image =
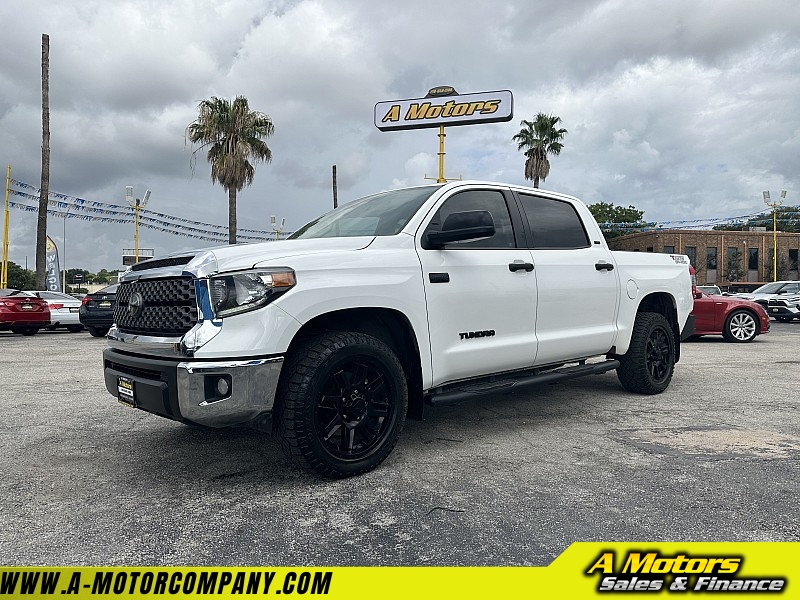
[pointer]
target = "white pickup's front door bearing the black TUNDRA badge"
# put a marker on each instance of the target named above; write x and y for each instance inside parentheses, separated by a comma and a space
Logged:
(480, 294)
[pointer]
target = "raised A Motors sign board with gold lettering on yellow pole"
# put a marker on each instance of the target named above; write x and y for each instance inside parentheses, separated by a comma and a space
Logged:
(434, 111)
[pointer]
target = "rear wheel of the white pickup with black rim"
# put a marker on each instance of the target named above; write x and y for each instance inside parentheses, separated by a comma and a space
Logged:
(647, 366)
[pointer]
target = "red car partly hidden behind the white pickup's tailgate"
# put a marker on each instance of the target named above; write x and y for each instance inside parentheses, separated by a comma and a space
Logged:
(736, 319)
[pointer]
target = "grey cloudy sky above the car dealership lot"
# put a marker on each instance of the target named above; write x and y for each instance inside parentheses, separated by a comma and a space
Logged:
(686, 109)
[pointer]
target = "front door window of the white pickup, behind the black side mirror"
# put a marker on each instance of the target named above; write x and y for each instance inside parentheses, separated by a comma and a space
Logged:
(490, 200)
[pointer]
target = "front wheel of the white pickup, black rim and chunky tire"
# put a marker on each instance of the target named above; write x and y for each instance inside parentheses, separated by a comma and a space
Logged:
(341, 404)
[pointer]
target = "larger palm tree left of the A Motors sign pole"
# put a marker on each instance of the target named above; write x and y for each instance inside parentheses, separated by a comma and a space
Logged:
(234, 135)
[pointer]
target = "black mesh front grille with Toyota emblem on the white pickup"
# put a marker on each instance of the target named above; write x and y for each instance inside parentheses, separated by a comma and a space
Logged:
(163, 307)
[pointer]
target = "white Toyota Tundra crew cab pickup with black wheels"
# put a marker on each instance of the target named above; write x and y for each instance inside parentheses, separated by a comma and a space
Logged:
(430, 294)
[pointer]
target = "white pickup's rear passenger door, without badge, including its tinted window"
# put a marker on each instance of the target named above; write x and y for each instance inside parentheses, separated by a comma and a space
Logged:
(576, 279)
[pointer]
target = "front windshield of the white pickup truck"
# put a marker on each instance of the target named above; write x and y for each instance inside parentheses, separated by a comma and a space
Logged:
(380, 214)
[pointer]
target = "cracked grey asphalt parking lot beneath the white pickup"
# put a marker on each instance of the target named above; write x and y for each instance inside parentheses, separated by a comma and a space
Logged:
(505, 480)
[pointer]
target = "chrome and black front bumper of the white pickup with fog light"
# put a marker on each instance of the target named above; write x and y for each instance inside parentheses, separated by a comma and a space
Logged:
(188, 391)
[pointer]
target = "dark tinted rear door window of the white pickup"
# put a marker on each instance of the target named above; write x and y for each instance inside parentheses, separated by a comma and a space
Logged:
(553, 223)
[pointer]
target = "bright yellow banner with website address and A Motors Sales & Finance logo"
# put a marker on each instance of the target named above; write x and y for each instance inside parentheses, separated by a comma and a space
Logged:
(584, 570)
